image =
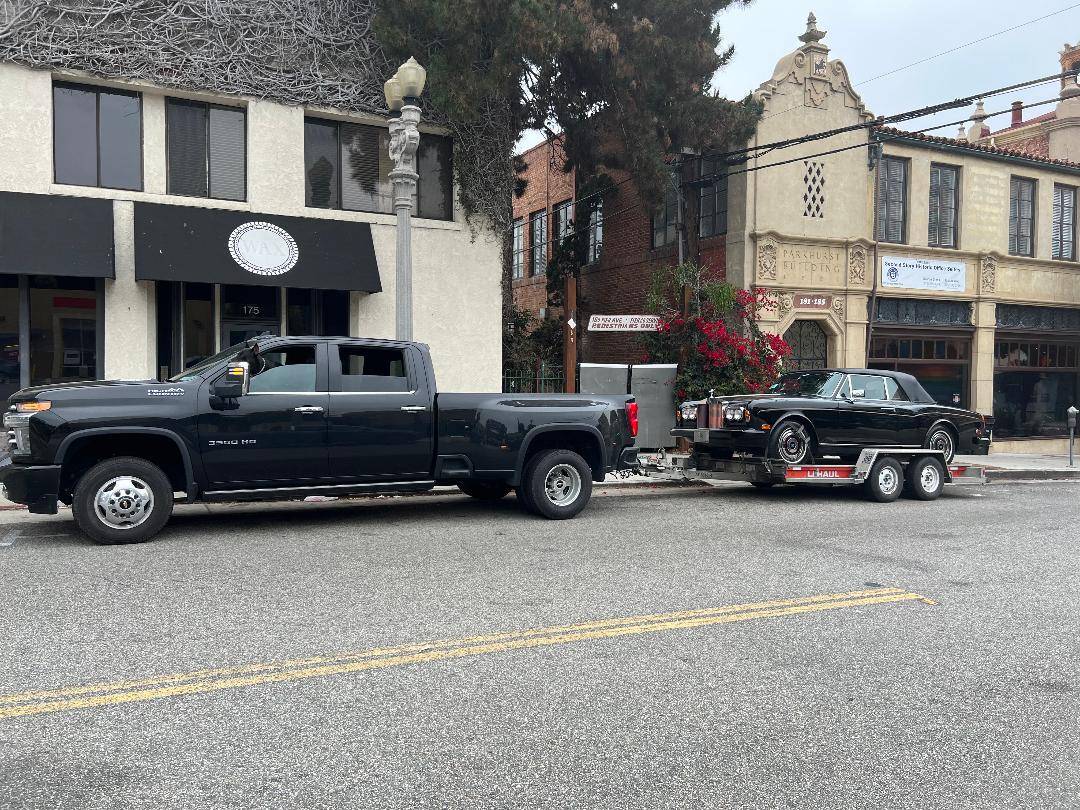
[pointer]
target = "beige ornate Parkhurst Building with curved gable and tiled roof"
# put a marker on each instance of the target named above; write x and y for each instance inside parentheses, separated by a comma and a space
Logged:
(965, 250)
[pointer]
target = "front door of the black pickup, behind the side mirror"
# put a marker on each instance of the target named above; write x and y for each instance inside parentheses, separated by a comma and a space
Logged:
(275, 436)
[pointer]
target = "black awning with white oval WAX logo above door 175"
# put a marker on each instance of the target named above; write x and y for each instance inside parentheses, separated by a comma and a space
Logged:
(185, 244)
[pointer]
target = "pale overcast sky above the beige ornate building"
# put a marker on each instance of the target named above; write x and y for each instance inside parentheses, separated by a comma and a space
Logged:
(873, 38)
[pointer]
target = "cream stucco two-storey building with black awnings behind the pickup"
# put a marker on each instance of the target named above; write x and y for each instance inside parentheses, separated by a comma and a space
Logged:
(143, 227)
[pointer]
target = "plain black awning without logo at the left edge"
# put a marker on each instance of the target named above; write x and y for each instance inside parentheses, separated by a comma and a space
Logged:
(50, 235)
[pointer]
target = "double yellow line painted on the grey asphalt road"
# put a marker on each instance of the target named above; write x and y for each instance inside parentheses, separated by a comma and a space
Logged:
(92, 696)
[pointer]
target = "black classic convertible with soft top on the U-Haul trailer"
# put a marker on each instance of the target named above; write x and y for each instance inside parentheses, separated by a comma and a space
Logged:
(831, 412)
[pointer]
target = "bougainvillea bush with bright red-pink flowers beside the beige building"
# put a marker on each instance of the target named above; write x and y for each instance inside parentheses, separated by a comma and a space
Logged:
(717, 343)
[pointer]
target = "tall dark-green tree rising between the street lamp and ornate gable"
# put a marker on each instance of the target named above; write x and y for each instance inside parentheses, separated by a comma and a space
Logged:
(627, 83)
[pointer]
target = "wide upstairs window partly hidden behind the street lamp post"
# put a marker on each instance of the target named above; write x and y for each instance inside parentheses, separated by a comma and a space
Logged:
(347, 167)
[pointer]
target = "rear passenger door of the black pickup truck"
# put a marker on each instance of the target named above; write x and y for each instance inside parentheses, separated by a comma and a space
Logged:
(382, 421)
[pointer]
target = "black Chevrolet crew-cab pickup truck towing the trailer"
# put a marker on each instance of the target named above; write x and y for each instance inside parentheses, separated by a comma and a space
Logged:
(294, 417)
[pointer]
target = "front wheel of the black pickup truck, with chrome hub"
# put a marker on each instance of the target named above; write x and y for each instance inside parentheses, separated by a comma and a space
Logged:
(123, 501)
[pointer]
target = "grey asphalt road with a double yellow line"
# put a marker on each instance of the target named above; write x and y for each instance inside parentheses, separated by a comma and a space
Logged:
(937, 664)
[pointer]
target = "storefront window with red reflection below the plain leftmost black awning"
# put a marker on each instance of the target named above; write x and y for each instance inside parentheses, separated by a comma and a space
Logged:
(64, 330)
